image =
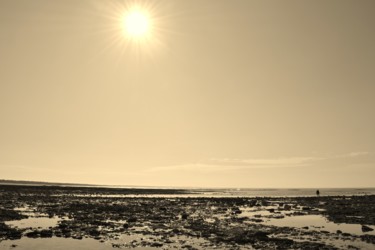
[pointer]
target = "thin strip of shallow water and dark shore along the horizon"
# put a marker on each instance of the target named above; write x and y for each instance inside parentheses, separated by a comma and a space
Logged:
(204, 192)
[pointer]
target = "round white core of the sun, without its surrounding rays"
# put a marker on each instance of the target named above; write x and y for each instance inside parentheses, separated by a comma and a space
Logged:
(136, 24)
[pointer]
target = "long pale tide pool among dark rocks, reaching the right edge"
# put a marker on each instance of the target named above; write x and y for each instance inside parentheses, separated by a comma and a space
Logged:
(316, 222)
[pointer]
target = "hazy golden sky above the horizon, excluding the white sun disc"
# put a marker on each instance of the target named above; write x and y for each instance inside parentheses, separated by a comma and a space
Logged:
(223, 93)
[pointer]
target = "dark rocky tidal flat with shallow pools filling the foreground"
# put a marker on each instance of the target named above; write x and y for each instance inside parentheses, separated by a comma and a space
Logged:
(58, 217)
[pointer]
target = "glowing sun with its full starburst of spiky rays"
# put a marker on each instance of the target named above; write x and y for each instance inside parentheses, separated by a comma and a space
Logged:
(134, 30)
